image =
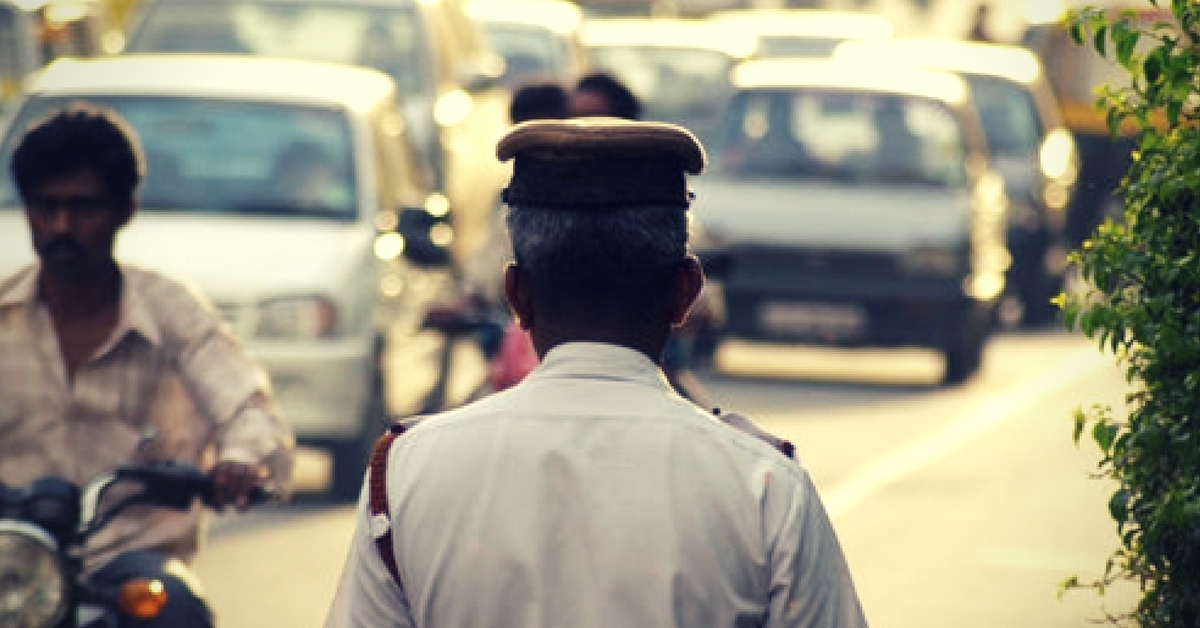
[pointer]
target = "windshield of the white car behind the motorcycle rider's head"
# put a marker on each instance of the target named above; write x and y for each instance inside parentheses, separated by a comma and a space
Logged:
(217, 157)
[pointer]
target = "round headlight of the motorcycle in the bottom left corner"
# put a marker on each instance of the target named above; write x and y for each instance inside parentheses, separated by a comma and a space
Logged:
(33, 581)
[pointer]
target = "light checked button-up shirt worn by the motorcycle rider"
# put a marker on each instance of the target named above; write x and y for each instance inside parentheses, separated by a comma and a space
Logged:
(171, 384)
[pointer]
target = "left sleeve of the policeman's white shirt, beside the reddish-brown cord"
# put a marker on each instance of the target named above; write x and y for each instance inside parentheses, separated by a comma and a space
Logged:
(368, 596)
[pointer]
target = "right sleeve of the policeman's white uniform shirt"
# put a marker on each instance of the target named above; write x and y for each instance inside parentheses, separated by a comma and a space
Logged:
(811, 582)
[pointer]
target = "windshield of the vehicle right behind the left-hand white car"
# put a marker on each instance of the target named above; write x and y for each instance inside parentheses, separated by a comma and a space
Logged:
(387, 38)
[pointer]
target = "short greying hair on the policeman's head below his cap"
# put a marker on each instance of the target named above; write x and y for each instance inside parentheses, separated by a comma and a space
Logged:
(603, 259)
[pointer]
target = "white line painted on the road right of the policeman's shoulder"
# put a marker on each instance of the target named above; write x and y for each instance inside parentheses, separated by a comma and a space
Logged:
(988, 415)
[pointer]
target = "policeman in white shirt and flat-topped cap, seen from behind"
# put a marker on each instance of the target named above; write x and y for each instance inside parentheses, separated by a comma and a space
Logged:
(592, 494)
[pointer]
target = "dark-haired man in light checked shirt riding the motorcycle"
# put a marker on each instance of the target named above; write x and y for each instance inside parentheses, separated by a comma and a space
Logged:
(105, 364)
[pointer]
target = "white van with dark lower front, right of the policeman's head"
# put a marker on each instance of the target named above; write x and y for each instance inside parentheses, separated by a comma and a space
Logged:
(856, 207)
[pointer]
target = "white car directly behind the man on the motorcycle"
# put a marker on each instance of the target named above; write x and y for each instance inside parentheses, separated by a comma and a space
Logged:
(273, 187)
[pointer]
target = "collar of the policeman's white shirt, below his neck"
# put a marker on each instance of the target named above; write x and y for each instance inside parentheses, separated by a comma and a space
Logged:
(599, 361)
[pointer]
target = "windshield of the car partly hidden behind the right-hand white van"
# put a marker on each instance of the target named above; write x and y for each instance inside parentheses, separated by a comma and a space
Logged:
(1009, 115)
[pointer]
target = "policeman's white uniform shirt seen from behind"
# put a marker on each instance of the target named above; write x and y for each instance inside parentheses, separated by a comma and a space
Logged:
(592, 495)
